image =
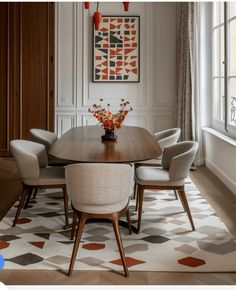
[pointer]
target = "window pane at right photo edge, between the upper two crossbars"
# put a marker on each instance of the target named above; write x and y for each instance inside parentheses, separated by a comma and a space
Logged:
(232, 47)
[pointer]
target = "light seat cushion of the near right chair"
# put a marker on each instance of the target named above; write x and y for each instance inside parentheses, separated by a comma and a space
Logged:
(155, 176)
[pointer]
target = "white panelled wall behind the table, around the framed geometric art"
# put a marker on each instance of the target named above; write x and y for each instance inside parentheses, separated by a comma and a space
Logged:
(153, 99)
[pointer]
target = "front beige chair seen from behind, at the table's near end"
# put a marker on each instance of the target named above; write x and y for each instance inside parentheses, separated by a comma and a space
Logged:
(99, 191)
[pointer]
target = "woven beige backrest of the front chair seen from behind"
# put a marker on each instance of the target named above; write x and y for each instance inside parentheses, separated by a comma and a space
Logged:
(99, 183)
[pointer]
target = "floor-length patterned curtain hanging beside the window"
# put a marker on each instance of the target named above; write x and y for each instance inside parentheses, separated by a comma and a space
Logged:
(188, 110)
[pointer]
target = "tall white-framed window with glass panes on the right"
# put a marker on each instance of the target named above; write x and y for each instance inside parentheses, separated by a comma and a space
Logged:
(224, 66)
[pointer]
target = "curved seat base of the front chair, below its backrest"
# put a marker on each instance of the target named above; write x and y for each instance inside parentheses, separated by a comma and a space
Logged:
(100, 209)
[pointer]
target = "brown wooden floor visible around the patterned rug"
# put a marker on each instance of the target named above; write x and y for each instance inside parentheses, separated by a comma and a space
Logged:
(220, 197)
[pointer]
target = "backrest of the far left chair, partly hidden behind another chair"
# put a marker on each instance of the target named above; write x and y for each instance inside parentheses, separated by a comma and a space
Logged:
(43, 137)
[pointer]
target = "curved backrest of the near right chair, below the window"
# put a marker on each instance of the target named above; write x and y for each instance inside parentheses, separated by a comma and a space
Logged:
(178, 159)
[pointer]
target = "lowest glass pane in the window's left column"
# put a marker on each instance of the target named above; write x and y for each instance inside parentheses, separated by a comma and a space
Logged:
(219, 101)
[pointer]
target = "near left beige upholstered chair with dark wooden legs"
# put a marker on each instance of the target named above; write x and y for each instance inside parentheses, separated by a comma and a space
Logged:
(31, 159)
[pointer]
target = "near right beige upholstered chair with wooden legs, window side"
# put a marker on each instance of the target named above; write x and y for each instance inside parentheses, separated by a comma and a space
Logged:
(176, 162)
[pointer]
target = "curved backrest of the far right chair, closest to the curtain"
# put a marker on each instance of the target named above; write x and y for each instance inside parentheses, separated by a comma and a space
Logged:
(167, 137)
